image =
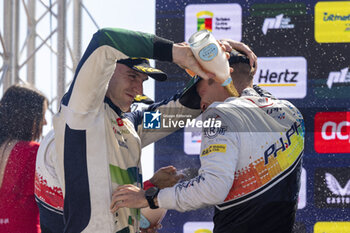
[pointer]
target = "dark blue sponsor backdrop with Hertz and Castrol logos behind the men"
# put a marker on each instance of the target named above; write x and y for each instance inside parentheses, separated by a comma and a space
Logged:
(304, 57)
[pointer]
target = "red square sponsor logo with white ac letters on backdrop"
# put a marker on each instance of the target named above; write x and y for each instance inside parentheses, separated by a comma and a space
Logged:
(332, 132)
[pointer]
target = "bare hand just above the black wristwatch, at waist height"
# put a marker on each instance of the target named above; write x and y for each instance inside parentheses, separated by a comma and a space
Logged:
(166, 177)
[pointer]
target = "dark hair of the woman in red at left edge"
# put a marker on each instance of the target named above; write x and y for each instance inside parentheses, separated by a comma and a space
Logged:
(21, 113)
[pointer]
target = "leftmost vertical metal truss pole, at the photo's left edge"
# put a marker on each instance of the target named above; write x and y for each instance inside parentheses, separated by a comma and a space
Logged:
(8, 12)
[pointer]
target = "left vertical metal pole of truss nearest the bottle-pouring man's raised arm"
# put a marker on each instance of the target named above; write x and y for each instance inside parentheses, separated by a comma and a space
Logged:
(61, 50)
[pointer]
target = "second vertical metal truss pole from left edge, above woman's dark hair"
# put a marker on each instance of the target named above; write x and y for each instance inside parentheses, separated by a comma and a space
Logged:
(15, 71)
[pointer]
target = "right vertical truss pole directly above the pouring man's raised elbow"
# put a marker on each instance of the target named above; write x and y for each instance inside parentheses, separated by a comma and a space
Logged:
(77, 33)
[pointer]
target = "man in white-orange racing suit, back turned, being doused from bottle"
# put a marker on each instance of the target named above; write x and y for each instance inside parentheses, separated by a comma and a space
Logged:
(250, 165)
